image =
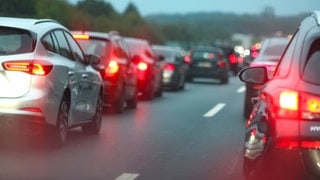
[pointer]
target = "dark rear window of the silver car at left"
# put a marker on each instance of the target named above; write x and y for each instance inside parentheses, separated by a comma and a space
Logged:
(15, 41)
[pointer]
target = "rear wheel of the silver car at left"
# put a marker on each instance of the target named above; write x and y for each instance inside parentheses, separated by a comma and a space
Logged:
(61, 129)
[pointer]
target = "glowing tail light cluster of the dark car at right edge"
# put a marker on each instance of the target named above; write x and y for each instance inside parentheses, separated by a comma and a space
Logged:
(298, 105)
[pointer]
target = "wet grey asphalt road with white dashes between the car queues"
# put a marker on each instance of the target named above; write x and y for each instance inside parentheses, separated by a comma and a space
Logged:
(192, 134)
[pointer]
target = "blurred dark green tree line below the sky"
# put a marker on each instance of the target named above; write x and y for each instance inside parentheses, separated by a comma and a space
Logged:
(99, 15)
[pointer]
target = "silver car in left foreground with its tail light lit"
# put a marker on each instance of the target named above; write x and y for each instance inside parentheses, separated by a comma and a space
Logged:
(48, 84)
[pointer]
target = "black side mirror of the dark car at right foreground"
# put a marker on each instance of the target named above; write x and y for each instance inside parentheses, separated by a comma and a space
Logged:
(254, 75)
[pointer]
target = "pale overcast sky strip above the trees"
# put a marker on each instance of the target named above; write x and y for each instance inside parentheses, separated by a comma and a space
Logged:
(281, 7)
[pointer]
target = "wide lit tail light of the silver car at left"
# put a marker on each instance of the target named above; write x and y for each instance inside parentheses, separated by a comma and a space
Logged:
(40, 68)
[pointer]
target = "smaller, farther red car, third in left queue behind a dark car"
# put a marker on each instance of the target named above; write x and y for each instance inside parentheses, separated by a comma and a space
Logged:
(149, 66)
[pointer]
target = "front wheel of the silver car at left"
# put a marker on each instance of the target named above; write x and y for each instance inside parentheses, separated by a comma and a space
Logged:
(95, 126)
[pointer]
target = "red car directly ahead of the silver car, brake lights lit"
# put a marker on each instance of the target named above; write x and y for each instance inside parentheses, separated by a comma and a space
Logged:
(117, 70)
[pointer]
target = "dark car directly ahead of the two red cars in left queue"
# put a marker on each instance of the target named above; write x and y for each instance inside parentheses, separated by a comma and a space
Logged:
(174, 68)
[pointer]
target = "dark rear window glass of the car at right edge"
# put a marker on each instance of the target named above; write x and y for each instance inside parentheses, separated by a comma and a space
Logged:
(311, 72)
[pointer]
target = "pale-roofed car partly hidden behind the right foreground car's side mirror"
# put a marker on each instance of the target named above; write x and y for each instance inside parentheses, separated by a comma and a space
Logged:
(269, 55)
